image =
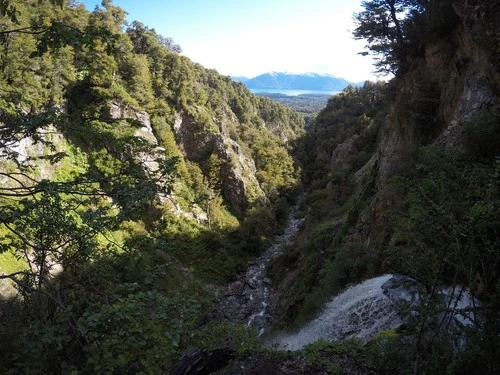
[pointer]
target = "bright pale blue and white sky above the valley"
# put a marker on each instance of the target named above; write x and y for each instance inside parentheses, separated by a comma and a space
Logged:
(252, 37)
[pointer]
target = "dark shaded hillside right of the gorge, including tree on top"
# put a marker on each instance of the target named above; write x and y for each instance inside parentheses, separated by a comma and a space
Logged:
(402, 177)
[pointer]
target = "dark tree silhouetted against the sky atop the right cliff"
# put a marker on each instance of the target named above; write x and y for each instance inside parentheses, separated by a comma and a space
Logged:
(382, 24)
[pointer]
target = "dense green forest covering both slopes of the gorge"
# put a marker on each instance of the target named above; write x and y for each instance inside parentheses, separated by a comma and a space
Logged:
(136, 183)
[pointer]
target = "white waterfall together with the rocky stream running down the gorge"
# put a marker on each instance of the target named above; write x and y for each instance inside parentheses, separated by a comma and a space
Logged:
(360, 311)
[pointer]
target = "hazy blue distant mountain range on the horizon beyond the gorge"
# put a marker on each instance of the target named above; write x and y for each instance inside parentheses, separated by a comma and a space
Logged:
(288, 81)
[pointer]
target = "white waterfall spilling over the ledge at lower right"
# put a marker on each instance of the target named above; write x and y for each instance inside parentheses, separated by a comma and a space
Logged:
(372, 306)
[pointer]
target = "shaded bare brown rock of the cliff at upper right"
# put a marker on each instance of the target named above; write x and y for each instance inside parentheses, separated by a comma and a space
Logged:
(462, 72)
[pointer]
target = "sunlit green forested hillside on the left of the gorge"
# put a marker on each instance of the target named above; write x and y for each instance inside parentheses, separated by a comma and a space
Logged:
(132, 181)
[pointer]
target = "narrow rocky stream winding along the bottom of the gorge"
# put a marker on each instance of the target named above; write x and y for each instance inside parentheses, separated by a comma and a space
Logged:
(247, 300)
